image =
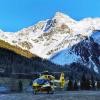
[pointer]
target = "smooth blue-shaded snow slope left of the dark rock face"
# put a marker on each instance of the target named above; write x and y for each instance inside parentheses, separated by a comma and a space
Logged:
(65, 57)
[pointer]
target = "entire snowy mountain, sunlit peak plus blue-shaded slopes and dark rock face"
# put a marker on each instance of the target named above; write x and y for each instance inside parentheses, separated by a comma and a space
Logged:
(61, 35)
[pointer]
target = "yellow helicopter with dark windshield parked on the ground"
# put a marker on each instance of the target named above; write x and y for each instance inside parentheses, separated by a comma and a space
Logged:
(47, 83)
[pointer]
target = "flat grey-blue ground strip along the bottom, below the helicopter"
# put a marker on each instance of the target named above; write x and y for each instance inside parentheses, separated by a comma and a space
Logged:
(68, 95)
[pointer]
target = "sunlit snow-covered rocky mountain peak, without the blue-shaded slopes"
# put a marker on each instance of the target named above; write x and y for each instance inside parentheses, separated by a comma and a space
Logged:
(52, 35)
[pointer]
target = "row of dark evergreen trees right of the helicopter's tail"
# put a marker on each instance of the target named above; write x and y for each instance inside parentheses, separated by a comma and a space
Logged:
(83, 84)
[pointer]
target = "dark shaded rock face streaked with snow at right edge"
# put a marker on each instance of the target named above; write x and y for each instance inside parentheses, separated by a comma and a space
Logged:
(89, 52)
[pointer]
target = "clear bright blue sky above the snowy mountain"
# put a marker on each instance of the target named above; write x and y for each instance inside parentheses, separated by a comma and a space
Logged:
(17, 14)
